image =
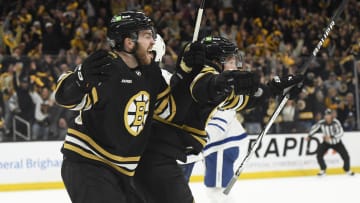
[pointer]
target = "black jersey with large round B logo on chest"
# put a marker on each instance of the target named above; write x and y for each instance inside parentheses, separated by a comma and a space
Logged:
(114, 120)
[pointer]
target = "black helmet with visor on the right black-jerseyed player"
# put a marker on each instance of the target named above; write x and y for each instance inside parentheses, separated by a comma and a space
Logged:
(219, 48)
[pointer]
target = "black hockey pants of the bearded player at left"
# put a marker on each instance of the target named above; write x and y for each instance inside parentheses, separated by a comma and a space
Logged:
(88, 182)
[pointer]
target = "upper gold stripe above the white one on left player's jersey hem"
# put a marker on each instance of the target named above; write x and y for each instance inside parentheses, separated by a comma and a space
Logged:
(100, 149)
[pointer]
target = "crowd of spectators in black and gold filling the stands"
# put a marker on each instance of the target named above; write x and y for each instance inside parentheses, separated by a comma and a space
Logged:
(40, 40)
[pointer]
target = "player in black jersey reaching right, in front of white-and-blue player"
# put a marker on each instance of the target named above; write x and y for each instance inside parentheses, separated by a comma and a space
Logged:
(175, 136)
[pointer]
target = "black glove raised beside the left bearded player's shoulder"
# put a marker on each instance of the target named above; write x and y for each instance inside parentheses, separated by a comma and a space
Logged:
(94, 70)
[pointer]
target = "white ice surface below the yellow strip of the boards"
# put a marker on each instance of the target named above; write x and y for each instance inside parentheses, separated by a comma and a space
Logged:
(329, 189)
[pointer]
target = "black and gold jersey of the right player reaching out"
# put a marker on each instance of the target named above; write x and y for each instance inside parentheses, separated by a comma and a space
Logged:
(184, 131)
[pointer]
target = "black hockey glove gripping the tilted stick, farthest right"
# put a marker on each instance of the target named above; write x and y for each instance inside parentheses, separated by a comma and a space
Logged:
(292, 84)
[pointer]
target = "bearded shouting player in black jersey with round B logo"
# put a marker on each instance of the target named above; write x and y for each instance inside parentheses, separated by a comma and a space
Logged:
(116, 94)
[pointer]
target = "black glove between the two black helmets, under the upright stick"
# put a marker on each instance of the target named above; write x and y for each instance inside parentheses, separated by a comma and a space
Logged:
(193, 58)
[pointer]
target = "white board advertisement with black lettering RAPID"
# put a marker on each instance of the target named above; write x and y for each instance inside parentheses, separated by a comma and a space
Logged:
(292, 152)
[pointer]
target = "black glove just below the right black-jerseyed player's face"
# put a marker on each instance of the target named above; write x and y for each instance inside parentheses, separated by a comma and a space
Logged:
(246, 83)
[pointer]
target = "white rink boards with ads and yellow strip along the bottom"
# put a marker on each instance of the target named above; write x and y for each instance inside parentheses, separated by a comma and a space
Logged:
(36, 165)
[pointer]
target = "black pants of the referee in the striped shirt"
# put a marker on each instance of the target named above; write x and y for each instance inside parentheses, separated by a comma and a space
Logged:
(339, 147)
